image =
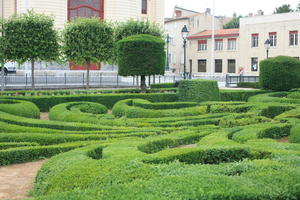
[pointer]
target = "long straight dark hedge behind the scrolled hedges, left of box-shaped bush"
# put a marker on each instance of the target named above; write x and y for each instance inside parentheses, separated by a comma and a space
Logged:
(46, 102)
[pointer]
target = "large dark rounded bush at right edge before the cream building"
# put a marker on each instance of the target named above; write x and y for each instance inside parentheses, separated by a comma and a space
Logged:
(281, 73)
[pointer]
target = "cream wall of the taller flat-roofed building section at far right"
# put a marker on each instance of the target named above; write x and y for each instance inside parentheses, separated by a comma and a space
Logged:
(282, 24)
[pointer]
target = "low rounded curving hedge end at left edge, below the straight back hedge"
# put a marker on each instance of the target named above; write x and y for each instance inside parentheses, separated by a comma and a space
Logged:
(20, 108)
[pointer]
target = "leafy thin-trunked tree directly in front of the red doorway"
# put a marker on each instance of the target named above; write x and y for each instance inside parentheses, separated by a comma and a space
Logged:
(87, 41)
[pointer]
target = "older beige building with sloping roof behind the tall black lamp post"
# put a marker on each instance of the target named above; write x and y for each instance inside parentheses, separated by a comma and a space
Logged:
(195, 23)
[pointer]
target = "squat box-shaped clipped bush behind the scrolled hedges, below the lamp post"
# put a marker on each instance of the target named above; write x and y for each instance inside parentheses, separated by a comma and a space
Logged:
(198, 90)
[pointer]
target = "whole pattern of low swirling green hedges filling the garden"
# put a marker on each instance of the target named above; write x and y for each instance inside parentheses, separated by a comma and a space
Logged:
(155, 146)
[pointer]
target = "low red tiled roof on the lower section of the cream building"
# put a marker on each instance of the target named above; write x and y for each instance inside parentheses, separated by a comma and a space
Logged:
(218, 33)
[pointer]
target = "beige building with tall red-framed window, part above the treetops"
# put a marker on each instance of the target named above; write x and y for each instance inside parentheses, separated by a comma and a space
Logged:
(113, 10)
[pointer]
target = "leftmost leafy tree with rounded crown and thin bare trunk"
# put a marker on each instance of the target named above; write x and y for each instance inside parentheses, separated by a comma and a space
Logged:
(31, 37)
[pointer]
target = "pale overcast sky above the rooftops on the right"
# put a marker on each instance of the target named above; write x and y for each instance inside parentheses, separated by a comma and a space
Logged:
(228, 7)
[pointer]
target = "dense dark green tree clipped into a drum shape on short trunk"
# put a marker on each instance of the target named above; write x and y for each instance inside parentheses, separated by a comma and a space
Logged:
(141, 55)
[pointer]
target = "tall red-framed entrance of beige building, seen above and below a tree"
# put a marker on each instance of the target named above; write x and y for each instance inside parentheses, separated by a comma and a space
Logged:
(85, 8)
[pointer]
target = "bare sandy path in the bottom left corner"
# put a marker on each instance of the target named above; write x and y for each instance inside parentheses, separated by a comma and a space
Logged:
(17, 180)
